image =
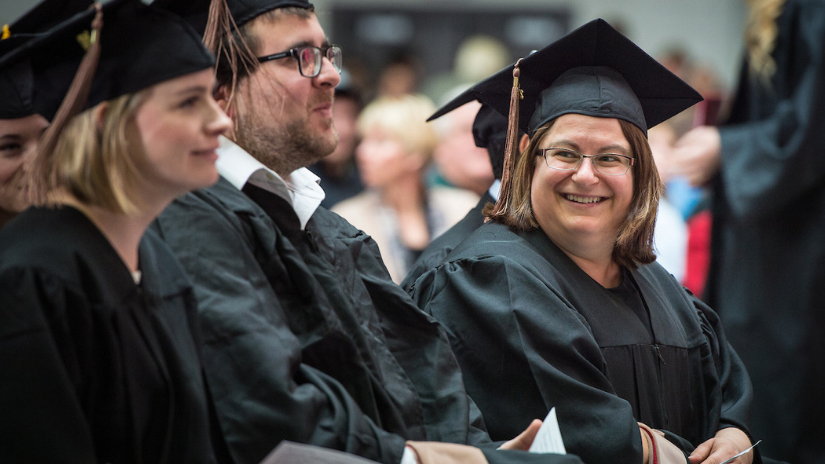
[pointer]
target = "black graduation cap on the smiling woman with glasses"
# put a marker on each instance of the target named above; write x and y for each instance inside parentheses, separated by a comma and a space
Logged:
(594, 71)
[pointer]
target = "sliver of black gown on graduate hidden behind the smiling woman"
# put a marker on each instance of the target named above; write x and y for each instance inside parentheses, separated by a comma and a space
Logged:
(442, 245)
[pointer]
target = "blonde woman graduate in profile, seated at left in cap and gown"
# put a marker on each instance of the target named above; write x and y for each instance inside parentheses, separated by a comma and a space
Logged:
(98, 328)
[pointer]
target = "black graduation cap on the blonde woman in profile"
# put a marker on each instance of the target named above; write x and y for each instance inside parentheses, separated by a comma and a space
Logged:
(140, 46)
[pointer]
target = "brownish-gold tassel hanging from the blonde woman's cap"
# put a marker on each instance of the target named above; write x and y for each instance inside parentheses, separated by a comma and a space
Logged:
(42, 178)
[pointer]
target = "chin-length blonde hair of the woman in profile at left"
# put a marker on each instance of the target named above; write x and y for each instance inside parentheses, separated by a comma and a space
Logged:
(94, 161)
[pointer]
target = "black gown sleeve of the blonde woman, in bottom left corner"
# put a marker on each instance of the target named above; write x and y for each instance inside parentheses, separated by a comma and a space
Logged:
(41, 415)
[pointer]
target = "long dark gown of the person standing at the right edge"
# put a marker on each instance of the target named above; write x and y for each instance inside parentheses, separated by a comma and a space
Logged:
(767, 274)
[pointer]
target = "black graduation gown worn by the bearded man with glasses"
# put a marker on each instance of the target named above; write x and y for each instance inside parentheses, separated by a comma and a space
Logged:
(308, 339)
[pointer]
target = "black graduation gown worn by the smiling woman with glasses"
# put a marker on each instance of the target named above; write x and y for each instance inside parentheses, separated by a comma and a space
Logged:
(532, 331)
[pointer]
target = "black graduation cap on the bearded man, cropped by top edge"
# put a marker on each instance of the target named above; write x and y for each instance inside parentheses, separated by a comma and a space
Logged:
(196, 12)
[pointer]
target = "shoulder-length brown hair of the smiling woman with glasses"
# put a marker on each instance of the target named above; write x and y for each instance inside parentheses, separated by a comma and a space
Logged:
(634, 244)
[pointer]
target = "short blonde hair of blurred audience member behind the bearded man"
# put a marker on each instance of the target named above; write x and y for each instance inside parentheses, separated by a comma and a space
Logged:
(404, 118)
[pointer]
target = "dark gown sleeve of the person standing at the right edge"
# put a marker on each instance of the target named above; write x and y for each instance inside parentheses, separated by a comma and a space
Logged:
(775, 158)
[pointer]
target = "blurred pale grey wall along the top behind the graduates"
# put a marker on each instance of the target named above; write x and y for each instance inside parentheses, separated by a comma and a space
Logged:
(709, 30)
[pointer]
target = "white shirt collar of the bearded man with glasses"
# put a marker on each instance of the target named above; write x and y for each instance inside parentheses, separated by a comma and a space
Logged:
(301, 188)
